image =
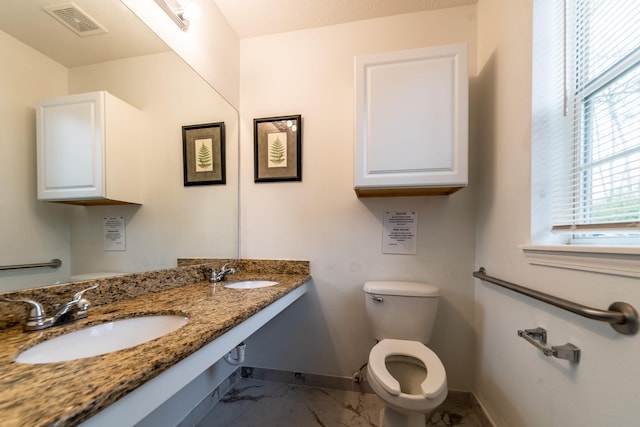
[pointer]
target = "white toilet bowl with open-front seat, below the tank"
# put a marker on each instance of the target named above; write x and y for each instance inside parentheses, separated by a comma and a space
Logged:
(410, 379)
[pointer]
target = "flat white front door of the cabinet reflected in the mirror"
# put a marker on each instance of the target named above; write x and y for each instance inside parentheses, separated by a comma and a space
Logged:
(70, 147)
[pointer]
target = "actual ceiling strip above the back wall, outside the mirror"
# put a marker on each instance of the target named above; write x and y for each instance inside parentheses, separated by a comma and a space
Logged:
(250, 18)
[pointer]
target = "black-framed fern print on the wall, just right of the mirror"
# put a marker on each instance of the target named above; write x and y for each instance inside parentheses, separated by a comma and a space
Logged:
(277, 148)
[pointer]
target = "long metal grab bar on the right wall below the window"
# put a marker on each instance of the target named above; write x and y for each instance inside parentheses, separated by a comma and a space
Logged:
(622, 316)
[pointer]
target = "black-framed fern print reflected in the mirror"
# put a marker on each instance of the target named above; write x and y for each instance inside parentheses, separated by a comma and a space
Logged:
(203, 154)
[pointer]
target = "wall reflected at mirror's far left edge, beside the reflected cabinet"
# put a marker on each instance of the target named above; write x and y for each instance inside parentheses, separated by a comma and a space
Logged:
(32, 231)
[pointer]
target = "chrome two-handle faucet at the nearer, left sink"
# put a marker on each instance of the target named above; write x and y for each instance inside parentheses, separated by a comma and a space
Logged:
(77, 308)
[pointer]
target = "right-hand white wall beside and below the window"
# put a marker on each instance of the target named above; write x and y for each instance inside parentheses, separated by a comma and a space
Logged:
(518, 385)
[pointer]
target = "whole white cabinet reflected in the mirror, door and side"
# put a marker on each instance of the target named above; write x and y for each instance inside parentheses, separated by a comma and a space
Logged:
(88, 150)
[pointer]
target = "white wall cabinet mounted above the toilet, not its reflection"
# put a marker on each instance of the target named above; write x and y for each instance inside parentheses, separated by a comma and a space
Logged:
(411, 122)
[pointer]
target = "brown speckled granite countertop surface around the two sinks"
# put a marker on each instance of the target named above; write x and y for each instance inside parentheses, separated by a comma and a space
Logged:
(67, 393)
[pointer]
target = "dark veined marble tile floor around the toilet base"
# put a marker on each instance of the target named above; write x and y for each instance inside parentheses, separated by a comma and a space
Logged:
(252, 403)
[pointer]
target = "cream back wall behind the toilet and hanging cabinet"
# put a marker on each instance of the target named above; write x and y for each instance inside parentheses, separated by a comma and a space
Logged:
(320, 219)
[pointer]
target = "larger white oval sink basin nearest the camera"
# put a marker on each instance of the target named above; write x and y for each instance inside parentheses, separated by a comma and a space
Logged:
(101, 339)
